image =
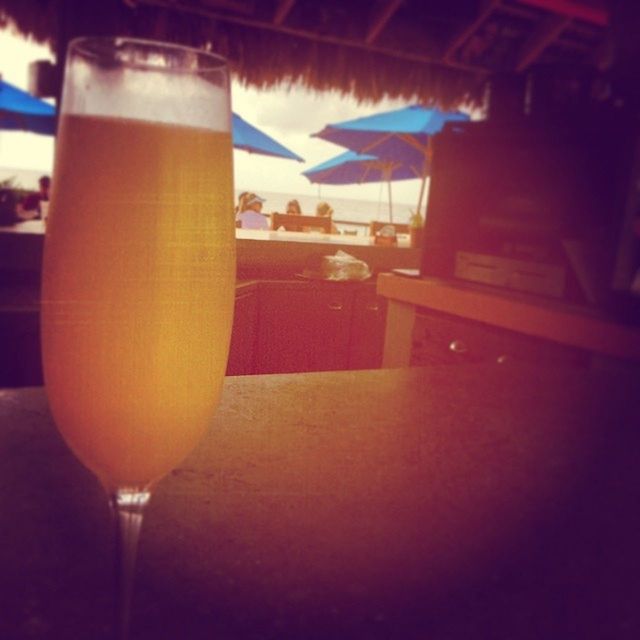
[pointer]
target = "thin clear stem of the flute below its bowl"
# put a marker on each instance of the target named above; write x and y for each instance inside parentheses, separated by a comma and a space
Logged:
(128, 508)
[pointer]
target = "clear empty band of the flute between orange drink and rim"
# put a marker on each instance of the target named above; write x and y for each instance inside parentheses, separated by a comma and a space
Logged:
(149, 95)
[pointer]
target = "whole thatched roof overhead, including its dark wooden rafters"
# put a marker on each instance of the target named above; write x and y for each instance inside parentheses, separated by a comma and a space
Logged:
(440, 52)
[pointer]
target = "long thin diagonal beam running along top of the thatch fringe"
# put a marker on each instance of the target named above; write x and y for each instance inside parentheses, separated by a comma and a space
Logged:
(398, 54)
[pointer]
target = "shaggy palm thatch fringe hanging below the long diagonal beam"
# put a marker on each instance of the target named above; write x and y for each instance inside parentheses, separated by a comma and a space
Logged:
(259, 58)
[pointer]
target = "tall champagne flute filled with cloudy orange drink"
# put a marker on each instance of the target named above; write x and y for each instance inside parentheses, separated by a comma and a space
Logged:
(139, 266)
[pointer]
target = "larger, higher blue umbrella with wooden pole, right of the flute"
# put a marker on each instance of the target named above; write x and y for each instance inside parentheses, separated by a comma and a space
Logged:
(403, 135)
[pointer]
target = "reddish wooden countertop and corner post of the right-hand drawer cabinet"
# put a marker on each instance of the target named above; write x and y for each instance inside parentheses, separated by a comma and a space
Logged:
(548, 320)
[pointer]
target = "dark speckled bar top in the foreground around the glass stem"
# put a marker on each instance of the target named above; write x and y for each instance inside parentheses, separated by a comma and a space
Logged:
(441, 503)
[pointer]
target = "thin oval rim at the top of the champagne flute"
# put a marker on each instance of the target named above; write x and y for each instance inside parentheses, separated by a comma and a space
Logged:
(105, 47)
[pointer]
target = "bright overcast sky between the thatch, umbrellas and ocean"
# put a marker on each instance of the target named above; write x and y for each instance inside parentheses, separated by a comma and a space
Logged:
(288, 115)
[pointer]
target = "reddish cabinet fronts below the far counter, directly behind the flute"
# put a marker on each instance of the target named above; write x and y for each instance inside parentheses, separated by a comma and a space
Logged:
(278, 327)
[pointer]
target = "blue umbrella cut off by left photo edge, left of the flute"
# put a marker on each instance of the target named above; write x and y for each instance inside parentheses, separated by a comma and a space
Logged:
(21, 111)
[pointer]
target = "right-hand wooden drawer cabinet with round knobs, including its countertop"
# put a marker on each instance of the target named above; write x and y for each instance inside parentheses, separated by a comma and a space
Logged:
(434, 321)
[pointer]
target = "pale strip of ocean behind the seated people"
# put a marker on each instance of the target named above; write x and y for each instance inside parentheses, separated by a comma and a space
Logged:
(348, 213)
